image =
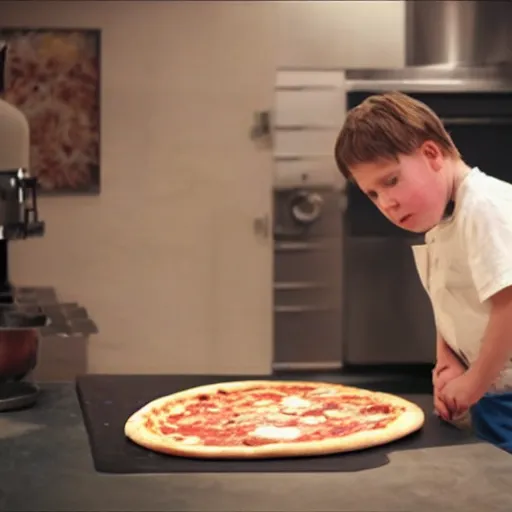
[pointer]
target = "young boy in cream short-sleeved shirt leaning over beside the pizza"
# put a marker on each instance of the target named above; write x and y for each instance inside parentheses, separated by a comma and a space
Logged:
(397, 151)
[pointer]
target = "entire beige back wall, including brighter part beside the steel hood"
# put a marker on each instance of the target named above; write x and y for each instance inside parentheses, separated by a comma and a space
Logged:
(180, 82)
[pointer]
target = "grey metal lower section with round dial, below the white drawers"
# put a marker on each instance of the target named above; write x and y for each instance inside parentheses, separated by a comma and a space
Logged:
(307, 282)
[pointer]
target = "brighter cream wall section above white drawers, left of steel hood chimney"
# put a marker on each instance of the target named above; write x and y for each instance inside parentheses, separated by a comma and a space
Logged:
(359, 33)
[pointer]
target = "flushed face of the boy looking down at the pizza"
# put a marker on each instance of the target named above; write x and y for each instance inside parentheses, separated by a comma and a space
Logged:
(411, 192)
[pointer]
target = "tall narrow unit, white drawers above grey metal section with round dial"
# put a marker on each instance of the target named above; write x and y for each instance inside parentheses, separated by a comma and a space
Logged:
(307, 220)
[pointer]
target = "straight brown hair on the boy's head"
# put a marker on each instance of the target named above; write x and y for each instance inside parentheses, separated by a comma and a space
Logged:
(386, 125)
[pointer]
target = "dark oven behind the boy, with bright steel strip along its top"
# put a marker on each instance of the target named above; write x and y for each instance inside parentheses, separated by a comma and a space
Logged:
(387, 318)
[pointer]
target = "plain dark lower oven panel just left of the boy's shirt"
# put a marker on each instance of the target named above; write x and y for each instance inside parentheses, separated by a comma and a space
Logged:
(388, 318)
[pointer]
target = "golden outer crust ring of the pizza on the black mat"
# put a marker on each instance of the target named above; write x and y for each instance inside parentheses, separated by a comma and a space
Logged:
(407, 422)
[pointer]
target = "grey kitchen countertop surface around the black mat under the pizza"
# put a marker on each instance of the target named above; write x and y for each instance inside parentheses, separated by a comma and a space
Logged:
(46, 465)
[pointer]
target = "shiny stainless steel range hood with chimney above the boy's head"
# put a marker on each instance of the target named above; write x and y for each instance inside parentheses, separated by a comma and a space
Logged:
(458, 45)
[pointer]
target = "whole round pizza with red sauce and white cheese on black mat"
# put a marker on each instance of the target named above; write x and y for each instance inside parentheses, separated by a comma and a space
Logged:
(268, 419)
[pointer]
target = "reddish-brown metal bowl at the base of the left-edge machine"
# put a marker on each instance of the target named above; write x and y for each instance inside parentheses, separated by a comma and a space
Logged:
(19, 342)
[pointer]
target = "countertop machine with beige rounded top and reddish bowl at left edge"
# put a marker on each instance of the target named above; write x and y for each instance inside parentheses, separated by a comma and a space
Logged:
(19, 220)
